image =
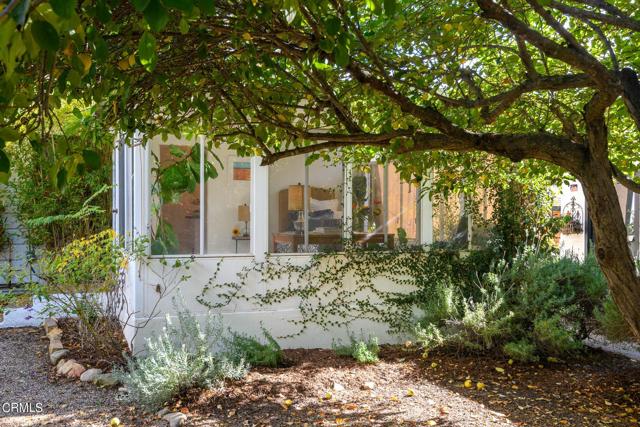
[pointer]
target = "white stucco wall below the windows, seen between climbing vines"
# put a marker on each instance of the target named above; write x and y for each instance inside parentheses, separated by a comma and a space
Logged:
(243, 316)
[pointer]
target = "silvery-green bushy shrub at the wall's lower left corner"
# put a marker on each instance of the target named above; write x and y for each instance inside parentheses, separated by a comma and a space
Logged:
(185, 355)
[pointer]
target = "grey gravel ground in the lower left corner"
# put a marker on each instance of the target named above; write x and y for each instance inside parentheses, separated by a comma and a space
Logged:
(26, 377)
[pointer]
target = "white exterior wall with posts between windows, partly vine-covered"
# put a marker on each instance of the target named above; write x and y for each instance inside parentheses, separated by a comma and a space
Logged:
(143, 277)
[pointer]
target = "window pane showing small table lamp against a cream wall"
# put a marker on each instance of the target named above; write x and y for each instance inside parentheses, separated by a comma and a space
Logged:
(227, 195)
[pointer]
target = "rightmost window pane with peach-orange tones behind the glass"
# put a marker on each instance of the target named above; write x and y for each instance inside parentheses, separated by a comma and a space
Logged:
(402, 209)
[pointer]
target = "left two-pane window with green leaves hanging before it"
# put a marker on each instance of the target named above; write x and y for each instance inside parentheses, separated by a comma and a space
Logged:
(190, 219)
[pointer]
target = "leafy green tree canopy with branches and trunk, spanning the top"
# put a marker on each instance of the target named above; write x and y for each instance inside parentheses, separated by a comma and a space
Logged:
(467, 85)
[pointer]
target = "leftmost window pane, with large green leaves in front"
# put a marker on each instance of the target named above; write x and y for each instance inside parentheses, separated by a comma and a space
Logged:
(175, 197)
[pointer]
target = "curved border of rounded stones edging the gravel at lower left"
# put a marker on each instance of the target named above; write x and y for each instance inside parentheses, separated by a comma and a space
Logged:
(70, 368)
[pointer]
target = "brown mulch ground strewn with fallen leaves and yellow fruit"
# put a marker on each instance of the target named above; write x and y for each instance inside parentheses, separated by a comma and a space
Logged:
(599, 389)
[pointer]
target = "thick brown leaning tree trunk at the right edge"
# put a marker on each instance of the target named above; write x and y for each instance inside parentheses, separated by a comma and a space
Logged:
(611, 247)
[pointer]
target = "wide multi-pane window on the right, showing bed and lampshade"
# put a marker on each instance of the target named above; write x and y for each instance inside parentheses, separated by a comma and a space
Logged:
(307, 212)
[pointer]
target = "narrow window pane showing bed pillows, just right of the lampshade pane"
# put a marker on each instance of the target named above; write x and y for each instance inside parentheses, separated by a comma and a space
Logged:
(325, 206)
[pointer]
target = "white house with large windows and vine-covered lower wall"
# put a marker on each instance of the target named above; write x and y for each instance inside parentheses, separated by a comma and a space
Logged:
(287, 210)
